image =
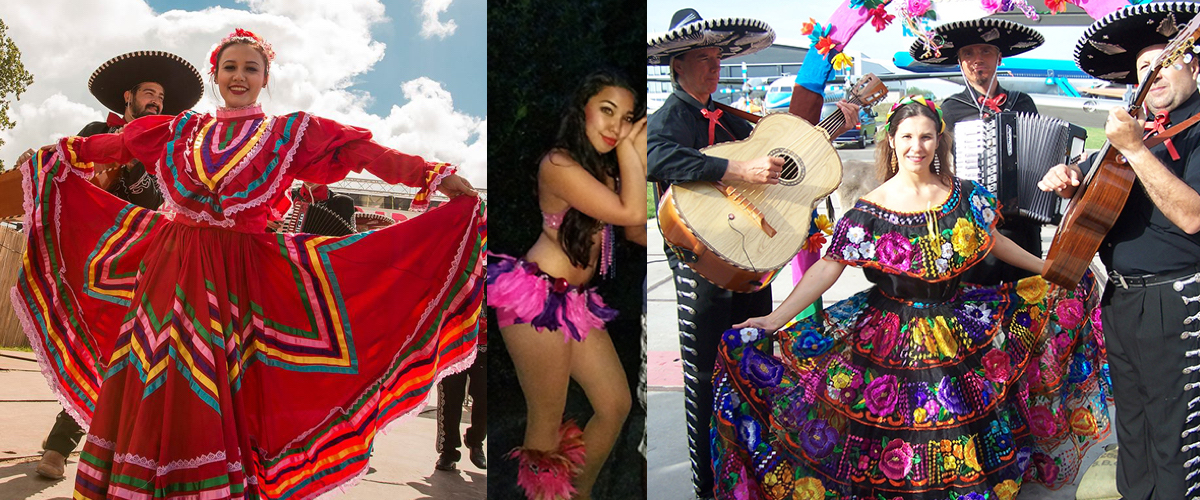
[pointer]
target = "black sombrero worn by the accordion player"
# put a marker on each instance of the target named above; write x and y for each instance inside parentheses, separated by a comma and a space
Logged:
(1012, 39)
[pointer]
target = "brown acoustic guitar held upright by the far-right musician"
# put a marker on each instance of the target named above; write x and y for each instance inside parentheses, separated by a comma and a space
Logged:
(1103, 194)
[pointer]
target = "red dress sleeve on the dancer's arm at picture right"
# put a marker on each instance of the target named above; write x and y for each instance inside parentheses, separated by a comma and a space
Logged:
(331, 150)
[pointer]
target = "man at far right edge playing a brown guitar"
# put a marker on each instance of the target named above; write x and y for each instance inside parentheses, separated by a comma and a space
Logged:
(1151, 305)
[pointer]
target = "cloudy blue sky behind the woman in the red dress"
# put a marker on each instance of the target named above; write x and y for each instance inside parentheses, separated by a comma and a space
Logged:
(362, 63)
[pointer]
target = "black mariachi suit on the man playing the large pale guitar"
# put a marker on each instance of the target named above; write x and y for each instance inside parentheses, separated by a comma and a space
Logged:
(676, 135)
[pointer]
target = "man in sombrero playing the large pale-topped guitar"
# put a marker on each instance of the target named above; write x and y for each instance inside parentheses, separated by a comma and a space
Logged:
(687, 123)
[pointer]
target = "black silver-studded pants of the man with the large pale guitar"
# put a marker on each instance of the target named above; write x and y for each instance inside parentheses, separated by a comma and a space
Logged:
(706, 311)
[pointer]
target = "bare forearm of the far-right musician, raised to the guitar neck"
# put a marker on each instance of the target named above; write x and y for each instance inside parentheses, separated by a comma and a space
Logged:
(1175, 198)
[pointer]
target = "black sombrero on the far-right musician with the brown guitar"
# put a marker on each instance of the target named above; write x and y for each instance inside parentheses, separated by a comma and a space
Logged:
(1109, 49)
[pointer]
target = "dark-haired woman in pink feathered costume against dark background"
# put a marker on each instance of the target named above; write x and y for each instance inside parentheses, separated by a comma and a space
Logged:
(554, 324)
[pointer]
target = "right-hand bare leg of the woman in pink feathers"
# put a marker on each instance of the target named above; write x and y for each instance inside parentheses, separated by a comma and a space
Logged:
(596, 366)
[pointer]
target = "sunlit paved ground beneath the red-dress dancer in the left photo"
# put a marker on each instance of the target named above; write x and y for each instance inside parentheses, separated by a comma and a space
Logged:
(401, 469)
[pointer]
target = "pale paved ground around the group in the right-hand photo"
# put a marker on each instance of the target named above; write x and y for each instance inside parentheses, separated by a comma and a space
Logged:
(670, 471)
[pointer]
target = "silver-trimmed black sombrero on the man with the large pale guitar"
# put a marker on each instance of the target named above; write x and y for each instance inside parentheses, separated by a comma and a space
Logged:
(734, 37)
